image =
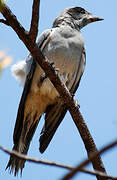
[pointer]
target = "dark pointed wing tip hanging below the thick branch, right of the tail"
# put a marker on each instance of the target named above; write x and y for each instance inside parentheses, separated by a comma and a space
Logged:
(54, 116)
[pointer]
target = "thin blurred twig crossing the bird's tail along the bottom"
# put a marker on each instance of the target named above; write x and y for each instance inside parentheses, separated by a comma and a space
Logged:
(55, 164)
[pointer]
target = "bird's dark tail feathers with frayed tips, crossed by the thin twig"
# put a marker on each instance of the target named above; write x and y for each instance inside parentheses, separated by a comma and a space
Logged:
(15, 164)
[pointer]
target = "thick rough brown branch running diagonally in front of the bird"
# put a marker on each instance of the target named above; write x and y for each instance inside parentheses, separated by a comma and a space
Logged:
(61, 88)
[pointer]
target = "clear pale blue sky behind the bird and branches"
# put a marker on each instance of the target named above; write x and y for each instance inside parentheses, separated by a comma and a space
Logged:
(97, 93)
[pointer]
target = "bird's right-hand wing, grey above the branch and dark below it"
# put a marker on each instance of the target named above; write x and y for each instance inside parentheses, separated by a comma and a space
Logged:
(56, 112)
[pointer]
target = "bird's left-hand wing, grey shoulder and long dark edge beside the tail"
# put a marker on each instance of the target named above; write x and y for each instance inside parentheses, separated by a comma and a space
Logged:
(31, 69)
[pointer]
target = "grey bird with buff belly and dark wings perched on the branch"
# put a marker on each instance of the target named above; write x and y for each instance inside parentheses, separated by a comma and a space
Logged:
(63, 45)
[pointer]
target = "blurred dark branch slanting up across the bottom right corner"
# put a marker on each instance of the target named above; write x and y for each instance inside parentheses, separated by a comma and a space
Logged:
(87, 161)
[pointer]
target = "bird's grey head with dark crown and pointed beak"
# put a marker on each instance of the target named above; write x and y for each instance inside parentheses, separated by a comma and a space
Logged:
(77, 15)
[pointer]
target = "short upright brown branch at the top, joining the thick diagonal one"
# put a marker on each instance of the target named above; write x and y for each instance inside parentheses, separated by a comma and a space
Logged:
(35, 20)
